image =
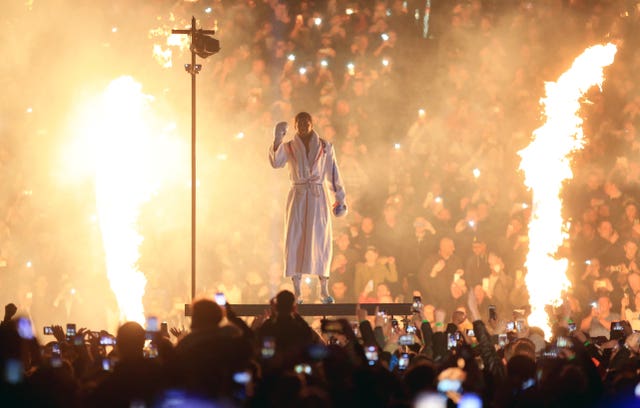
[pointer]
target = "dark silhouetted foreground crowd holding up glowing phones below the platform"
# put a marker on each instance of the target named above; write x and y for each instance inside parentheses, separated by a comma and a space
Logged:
(423, 358)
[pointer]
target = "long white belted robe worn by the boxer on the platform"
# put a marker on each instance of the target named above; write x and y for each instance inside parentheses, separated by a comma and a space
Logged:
(307, 224)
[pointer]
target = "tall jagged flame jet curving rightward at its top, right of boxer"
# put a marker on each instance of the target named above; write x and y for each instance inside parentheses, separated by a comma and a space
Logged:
(546, 164)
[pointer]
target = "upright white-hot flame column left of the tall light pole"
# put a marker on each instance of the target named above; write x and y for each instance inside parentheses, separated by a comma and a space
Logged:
(123, 183)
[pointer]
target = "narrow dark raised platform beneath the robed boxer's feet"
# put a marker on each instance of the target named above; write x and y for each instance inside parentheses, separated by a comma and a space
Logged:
(334, 309)
